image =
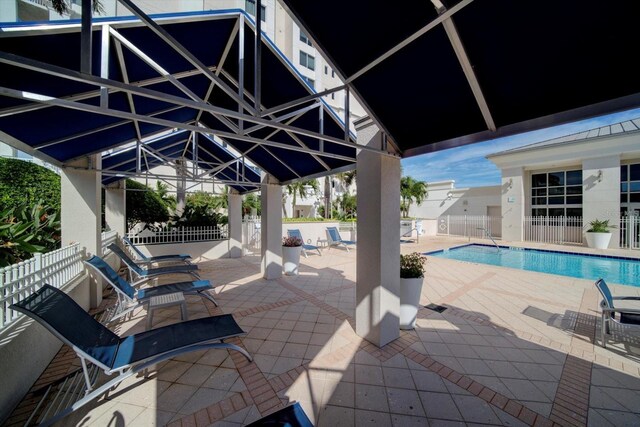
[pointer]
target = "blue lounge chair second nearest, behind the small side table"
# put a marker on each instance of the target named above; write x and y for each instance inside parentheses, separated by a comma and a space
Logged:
(129, 298)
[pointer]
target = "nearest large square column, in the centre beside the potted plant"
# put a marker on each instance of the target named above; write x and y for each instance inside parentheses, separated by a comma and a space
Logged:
(378, 253)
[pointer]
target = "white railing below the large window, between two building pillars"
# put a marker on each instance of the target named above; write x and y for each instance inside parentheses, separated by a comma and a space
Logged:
(552, 229)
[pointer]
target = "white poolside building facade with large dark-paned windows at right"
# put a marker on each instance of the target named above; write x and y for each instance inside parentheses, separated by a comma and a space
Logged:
(593, 175)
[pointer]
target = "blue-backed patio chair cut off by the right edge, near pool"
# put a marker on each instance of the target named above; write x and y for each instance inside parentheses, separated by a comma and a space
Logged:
(627, 307)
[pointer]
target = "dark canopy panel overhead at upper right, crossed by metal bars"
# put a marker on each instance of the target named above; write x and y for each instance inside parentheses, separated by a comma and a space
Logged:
(442, 73)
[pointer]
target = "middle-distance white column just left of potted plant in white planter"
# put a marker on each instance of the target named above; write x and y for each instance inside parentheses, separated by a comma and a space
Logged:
(271, 228)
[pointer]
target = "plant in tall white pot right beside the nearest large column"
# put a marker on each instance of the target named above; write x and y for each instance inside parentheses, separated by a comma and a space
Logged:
(411, 277)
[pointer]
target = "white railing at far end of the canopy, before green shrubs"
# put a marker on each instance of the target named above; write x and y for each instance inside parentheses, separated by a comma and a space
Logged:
(180, 235)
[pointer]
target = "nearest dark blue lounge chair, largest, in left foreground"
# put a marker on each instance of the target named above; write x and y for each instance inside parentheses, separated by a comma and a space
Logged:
(100, 349)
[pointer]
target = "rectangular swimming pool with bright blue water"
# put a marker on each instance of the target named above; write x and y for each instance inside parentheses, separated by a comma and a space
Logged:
(613, 269)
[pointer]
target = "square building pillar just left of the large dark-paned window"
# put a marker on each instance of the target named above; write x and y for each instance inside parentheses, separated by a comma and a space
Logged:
(513, 203)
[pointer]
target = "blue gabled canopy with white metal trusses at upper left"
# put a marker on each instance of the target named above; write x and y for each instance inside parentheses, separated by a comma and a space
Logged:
(173, 72)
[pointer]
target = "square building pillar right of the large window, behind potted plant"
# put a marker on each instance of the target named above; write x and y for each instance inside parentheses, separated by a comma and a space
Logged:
(601, 193)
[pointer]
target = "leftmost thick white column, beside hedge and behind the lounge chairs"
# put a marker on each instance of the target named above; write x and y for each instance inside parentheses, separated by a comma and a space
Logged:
(81, 217)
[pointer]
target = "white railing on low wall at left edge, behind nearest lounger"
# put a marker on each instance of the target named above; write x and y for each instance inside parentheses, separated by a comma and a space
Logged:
(18, 281)
